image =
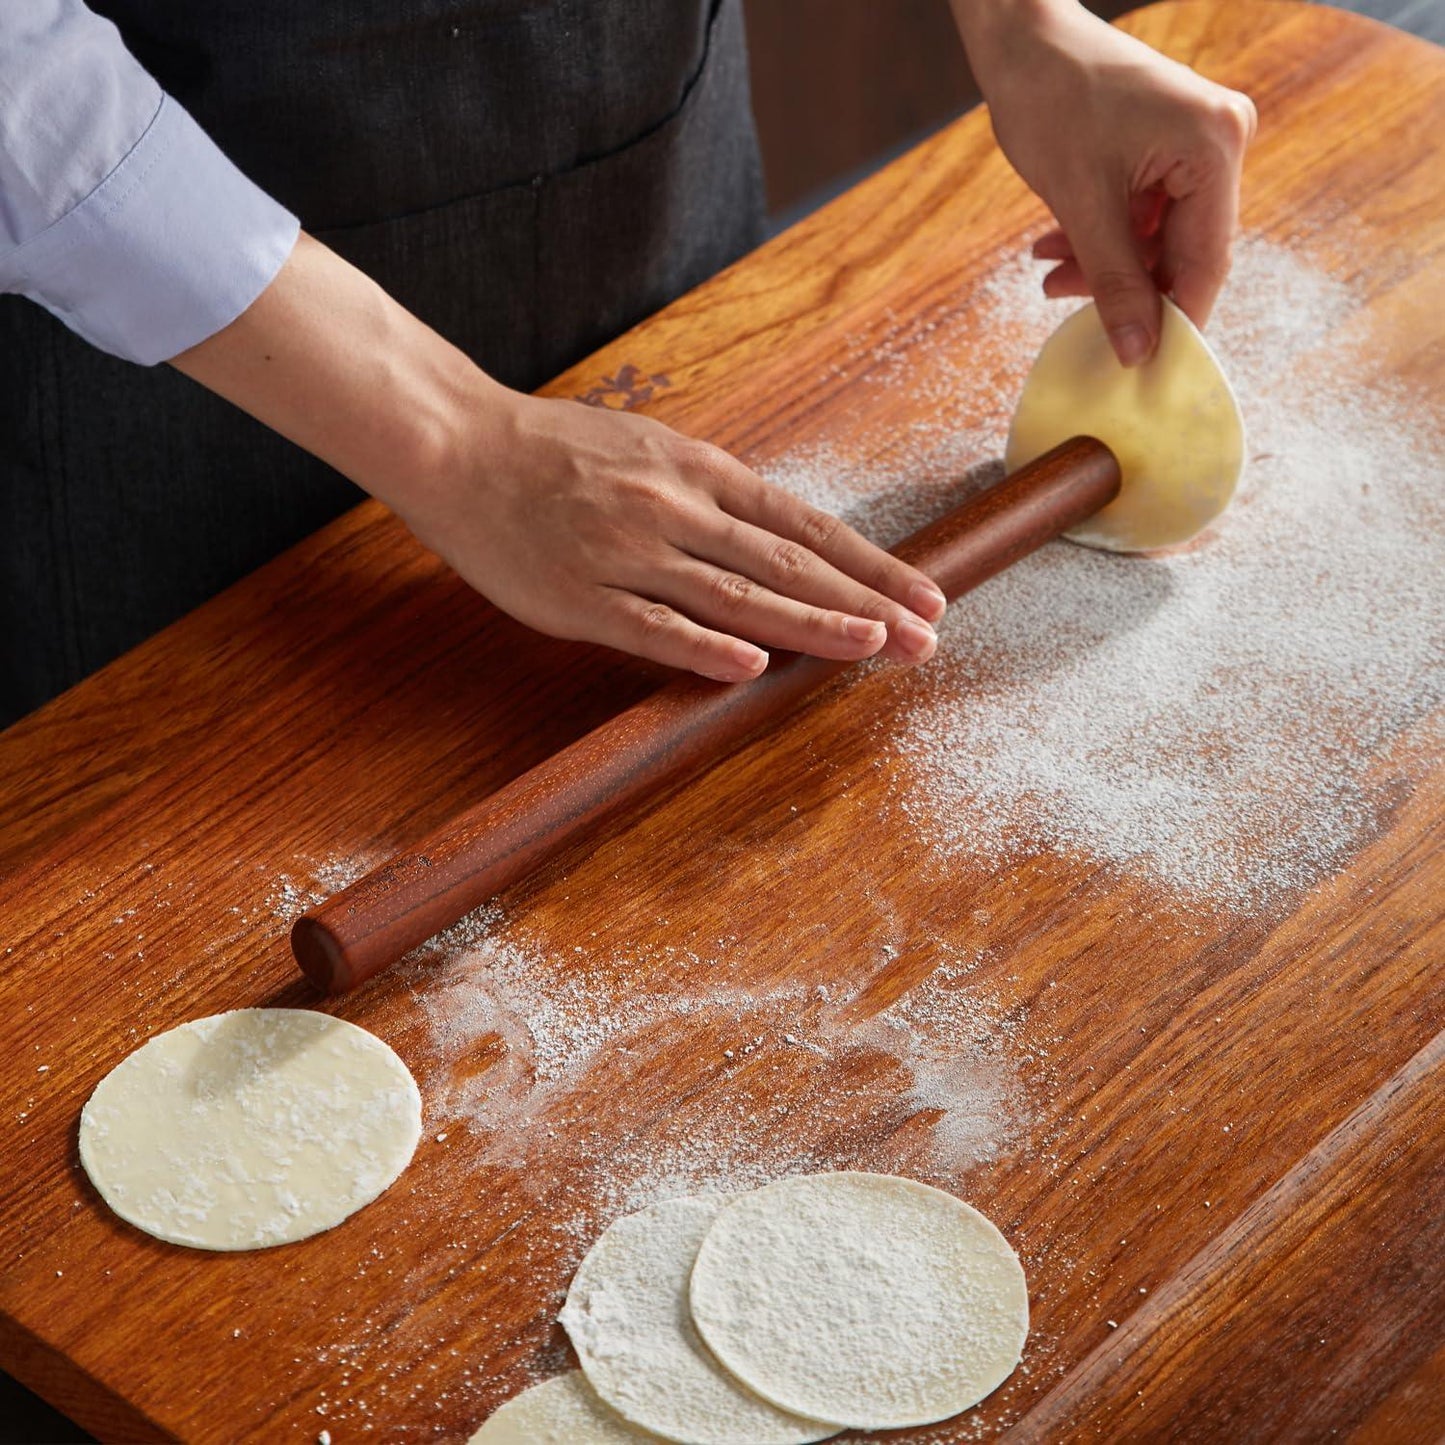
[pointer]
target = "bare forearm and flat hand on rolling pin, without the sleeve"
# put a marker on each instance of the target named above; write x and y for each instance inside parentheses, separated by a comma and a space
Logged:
(579, 521)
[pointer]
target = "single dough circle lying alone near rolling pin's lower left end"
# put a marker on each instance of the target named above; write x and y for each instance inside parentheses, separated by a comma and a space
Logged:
(251, 1129)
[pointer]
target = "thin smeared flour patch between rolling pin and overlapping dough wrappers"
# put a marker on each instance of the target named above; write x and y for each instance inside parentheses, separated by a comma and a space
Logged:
(518, 1028)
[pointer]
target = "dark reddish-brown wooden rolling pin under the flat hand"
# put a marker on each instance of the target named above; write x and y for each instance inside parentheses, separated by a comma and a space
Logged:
(664, 741)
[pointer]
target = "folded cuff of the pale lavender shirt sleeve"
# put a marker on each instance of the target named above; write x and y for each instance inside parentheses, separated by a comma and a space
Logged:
(173, 246)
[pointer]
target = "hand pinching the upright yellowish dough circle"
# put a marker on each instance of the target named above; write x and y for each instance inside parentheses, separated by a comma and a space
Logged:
(1138, 157)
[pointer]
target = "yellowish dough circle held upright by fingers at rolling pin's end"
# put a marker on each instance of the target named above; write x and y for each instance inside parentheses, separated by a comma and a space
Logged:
(1174, 426)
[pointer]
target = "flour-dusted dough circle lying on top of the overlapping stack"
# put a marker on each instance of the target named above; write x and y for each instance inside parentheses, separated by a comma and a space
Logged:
(860, 1298)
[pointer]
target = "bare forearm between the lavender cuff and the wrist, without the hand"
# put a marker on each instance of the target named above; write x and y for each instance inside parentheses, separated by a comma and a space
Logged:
(332, 362)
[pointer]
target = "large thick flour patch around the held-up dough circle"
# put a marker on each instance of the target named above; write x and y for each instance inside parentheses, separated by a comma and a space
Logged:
(1229, 720)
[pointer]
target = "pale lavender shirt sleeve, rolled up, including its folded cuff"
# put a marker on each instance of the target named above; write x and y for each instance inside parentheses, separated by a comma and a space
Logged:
(118, 213)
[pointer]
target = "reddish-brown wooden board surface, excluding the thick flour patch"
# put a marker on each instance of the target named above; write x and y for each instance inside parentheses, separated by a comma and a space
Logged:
(1284, 1063)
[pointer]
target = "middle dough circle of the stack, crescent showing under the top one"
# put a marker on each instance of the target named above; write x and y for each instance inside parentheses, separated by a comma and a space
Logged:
(628, 1317)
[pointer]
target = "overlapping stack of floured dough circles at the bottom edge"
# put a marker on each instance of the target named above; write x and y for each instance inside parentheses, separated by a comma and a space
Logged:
(778, 1317)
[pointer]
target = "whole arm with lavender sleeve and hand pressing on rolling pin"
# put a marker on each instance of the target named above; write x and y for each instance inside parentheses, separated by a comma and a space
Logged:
(122, 217)
